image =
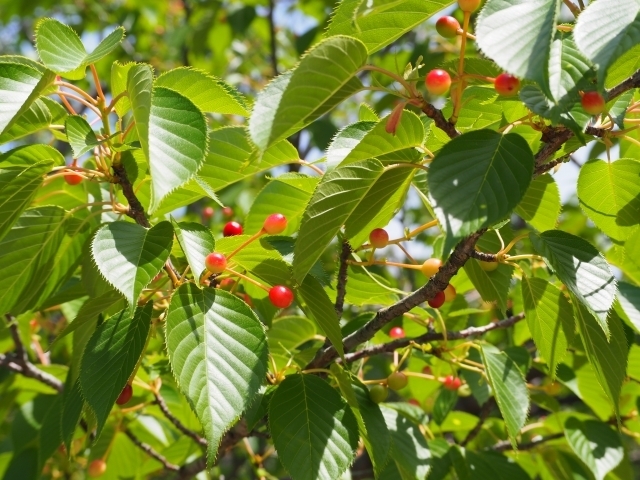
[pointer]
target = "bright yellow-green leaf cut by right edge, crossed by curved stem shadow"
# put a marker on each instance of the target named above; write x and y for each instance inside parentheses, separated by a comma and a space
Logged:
(609, 195)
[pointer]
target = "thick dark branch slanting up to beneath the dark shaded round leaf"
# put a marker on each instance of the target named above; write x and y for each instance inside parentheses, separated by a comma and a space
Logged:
(437, 283)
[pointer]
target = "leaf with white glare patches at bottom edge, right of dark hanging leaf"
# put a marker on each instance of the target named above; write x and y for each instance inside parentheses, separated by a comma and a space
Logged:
(409, 449)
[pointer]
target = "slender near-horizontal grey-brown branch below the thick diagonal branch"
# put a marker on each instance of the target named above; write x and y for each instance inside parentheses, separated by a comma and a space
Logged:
(432, 337)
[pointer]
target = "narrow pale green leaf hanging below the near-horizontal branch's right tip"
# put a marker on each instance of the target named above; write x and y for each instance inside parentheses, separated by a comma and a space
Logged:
(509, 388)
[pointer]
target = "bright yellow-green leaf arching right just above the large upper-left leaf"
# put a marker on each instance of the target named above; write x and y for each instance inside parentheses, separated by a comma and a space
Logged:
(208, 93)
